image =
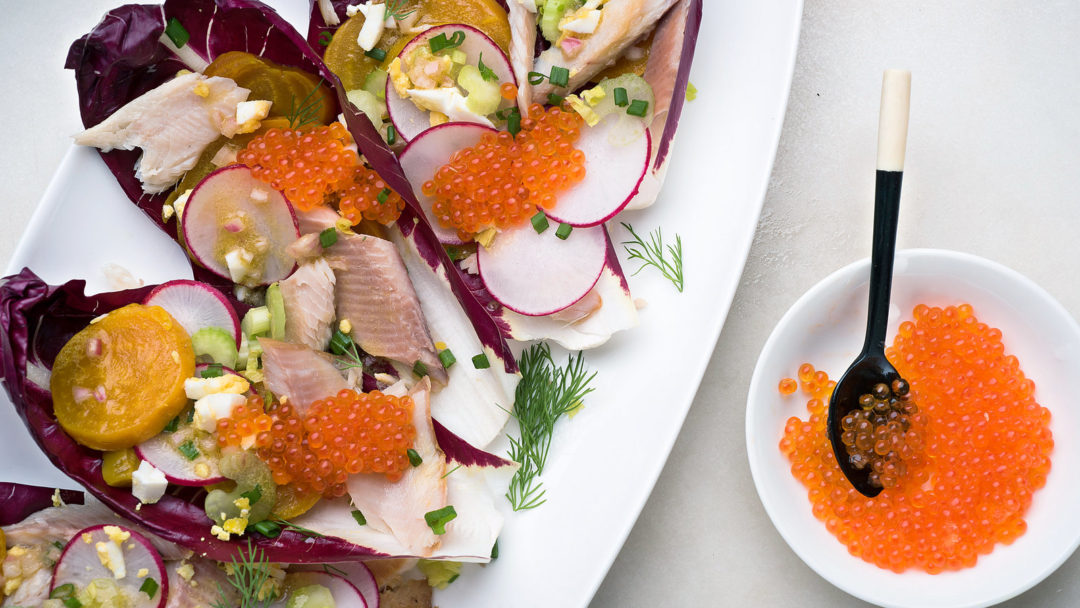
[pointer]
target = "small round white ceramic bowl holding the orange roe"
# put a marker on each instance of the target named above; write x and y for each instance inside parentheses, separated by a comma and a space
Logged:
(826, 328)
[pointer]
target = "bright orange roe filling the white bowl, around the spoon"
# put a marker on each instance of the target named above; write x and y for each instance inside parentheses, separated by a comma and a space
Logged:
(987, 451)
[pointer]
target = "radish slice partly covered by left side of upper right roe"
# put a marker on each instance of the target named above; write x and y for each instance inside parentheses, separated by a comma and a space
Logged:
(428, 154)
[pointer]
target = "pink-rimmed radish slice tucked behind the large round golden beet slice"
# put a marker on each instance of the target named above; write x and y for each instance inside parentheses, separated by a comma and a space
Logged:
(195, 306)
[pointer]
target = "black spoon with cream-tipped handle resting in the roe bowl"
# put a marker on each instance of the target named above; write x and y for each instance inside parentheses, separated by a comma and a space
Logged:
(872, 368)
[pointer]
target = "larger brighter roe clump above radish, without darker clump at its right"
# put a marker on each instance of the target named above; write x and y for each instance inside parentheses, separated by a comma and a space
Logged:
(304, 165)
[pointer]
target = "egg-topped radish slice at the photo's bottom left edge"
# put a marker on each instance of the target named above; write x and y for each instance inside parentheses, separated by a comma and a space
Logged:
(130, 555)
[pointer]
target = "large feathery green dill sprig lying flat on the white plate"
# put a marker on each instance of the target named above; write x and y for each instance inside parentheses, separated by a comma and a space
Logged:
(546, 394)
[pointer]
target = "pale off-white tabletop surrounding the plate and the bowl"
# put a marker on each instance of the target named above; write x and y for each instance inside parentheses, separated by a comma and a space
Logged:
(992, 170)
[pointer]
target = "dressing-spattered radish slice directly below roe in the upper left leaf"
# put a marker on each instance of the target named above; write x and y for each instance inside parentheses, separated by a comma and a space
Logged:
(238, 227)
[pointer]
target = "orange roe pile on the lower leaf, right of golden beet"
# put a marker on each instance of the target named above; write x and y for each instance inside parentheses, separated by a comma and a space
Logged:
(342, 436)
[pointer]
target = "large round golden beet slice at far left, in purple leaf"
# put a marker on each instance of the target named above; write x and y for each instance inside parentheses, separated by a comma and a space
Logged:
(119, 382)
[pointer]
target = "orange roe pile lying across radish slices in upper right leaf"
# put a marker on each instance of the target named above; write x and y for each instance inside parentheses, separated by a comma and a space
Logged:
(501, 182)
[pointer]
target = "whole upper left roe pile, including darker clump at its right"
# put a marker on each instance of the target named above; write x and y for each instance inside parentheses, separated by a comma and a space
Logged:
(315, 167)
